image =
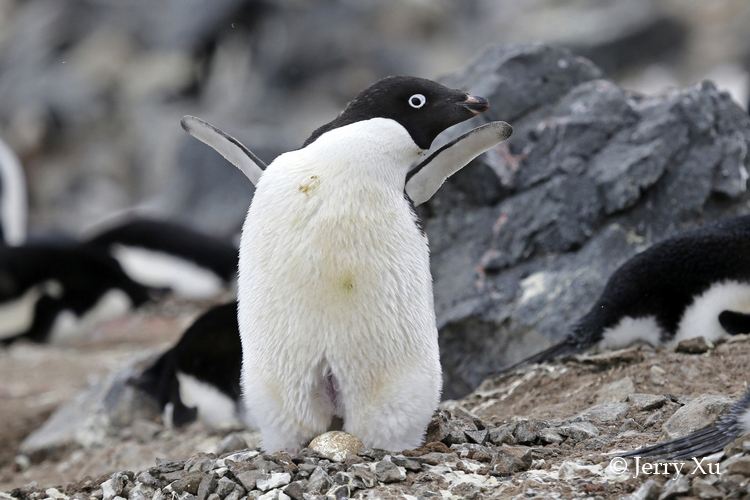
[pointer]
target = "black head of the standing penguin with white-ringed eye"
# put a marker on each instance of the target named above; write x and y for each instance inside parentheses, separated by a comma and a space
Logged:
(423, 107)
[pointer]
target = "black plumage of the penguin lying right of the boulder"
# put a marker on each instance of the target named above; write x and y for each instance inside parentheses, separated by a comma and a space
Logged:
(662, 281)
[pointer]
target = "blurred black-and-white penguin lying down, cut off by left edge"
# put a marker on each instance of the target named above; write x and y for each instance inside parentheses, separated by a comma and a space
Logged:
(51, 292)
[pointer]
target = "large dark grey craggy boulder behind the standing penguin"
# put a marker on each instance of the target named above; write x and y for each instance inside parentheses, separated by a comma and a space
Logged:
(524, 239)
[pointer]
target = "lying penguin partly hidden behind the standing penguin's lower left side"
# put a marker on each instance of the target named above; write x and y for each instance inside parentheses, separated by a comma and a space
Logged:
(199, 377)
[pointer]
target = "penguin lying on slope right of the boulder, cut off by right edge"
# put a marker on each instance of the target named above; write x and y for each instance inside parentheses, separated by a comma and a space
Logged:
(694, 284)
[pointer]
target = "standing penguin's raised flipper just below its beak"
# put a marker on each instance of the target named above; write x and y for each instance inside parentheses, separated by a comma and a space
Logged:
(425, 179)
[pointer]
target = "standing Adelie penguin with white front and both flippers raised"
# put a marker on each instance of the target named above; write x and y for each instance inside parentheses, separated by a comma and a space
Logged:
(336, 308)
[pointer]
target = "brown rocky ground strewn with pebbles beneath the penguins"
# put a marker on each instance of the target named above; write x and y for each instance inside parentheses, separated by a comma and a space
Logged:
(543, 431)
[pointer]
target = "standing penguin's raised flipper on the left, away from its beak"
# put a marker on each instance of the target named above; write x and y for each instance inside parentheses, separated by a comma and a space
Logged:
(227, 146)
